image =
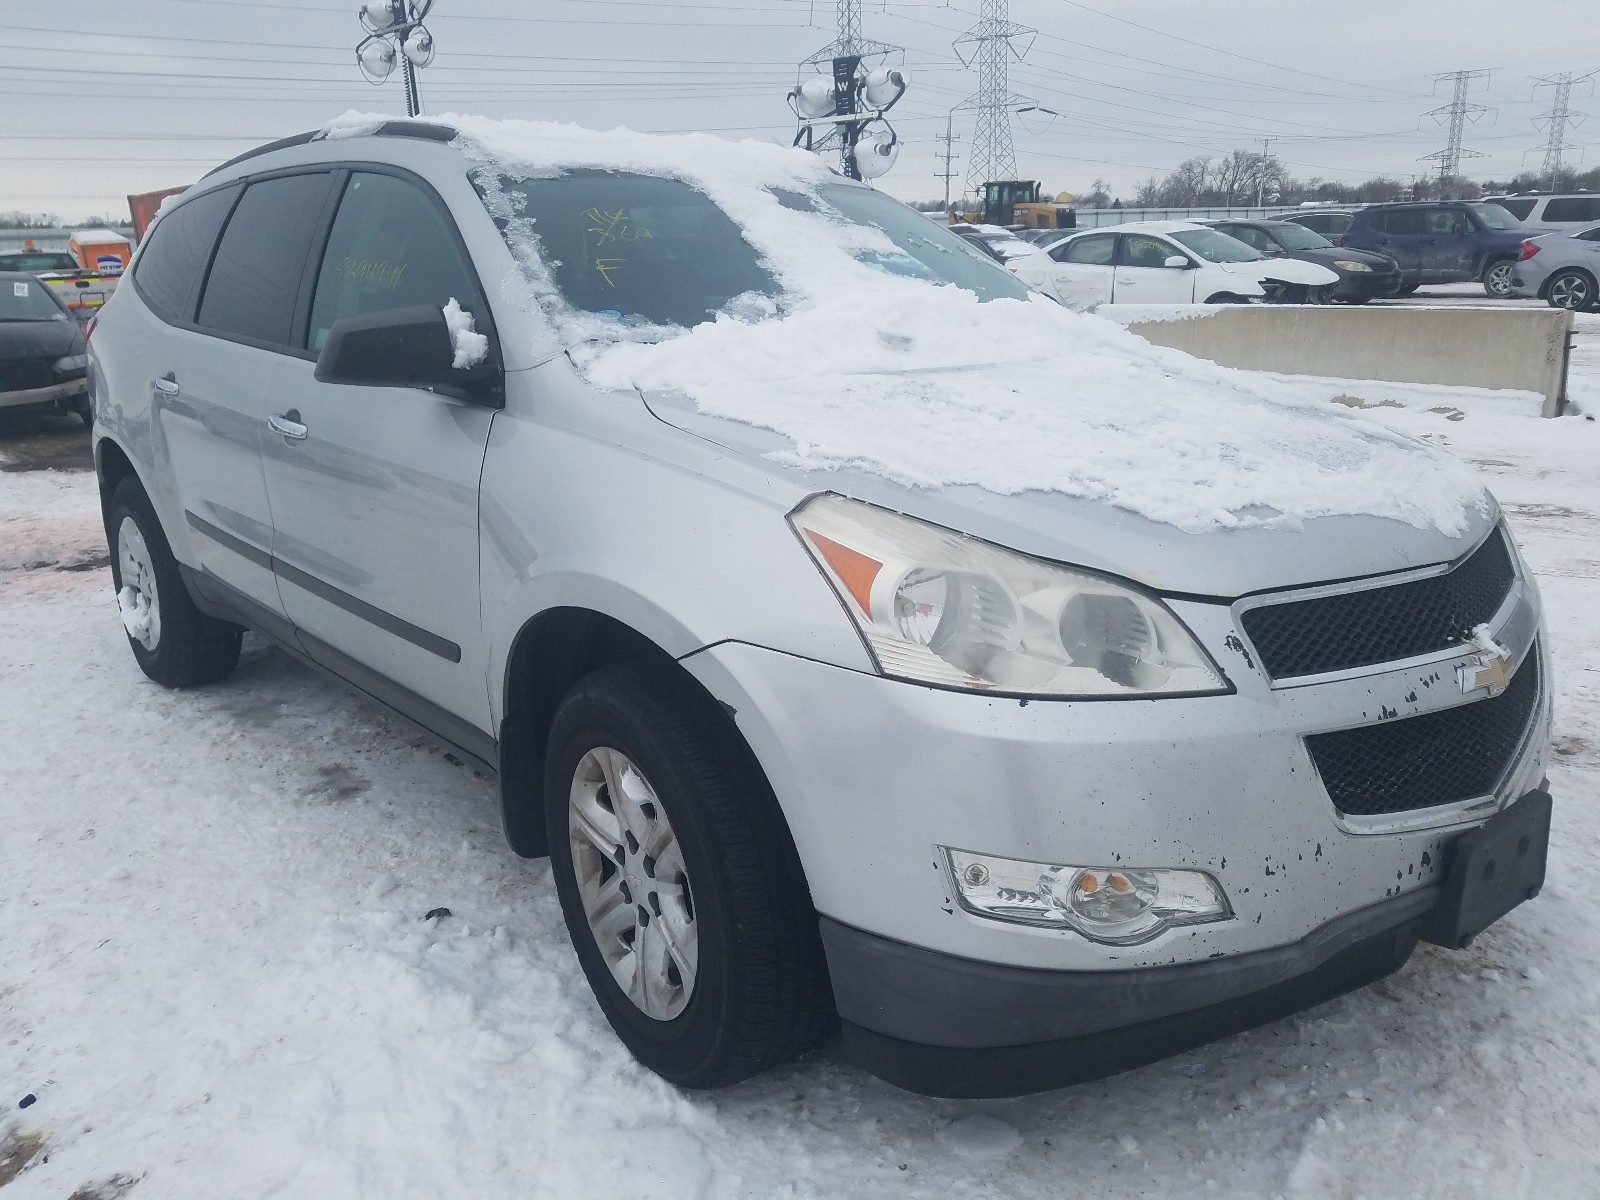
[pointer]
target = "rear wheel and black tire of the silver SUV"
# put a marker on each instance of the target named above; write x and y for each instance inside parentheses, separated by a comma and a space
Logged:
(175, 644)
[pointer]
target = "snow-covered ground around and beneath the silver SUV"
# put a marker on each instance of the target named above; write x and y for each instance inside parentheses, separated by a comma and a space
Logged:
(217, 982)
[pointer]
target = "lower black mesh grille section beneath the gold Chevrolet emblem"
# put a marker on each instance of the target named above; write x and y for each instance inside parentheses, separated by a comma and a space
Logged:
(1422, 762)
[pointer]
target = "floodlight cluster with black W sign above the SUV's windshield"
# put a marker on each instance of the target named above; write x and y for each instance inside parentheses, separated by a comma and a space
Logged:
(847, 102)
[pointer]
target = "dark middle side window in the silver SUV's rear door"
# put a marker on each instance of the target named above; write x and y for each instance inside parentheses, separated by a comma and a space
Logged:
(255, 278)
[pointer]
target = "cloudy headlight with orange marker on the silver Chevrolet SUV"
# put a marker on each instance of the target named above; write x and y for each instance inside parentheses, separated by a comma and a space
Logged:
(937, 607)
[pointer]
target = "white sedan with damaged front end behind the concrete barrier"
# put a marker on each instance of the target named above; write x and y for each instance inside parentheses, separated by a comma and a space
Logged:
(1166, 263)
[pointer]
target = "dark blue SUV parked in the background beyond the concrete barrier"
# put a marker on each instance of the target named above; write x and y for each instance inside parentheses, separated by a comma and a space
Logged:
(1447, 242)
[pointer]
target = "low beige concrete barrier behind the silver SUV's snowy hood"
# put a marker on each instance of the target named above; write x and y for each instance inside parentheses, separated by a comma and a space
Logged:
(1522, 350)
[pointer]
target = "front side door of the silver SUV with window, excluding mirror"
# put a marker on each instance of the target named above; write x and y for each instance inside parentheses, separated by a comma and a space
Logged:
(375, 490)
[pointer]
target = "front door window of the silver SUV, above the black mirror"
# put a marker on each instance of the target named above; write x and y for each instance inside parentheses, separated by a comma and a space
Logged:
(391, 247)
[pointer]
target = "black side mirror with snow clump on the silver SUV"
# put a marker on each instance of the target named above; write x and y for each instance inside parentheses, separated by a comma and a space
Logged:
(402, 348)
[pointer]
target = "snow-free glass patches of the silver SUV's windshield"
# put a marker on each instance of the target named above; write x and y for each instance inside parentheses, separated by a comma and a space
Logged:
(649, 250)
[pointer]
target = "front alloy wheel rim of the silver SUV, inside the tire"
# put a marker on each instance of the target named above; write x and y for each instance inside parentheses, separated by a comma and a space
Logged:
(633, 884)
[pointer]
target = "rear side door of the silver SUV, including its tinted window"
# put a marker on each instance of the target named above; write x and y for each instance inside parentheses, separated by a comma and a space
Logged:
(209, 380)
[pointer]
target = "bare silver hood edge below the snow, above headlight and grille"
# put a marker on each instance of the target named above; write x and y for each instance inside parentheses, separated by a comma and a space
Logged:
(1225, 562)
